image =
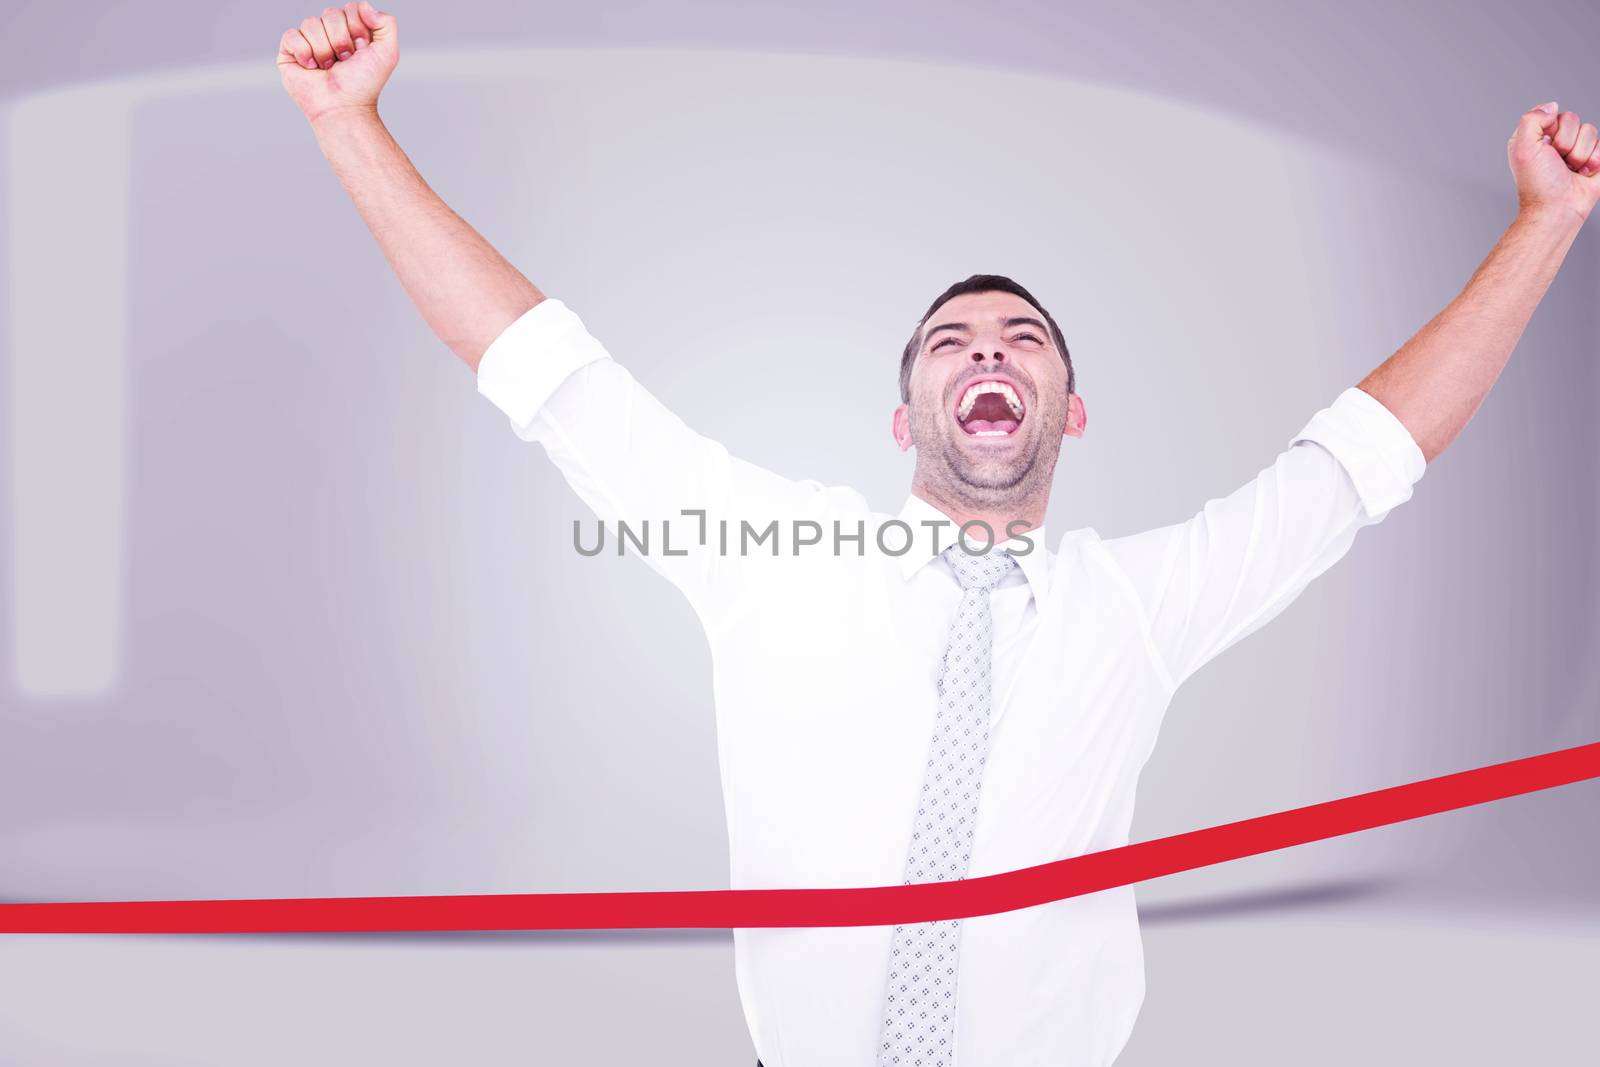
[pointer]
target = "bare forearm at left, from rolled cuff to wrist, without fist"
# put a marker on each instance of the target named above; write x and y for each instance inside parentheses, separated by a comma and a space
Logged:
(466, 292)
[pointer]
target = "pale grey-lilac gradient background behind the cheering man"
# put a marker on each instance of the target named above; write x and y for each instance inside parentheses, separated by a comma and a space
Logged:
(354, 653)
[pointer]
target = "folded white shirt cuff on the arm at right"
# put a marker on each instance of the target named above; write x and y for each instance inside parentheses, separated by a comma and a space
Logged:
(1374, 446)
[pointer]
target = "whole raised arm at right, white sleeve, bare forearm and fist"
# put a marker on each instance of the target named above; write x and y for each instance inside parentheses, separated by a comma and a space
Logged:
(1207, 583)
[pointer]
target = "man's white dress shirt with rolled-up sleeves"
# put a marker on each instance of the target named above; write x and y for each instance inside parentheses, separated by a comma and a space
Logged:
(825, 669)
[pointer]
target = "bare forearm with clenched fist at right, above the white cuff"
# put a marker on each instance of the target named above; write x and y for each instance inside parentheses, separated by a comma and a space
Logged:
(1438, 382)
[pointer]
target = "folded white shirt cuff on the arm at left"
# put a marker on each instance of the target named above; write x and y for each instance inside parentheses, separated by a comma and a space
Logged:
(534, 356)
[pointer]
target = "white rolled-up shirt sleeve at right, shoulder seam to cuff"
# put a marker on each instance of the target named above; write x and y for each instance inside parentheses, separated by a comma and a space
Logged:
(1207, 583)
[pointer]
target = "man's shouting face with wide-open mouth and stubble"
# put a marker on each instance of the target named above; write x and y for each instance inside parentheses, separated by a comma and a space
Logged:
(990, 402)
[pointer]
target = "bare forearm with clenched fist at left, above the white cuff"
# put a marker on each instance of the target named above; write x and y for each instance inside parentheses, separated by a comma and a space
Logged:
(334, 66)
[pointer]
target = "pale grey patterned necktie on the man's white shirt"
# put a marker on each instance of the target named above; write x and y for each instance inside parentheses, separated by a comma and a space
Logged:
(919, 1005)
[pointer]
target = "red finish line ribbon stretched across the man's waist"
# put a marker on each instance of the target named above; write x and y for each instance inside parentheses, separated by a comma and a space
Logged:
(878, 906)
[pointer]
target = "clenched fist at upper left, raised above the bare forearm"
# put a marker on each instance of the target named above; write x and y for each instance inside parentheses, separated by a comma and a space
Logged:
(340, 58)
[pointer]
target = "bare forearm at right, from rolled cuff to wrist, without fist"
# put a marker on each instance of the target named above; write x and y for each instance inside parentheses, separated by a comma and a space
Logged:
(1436, 383)
